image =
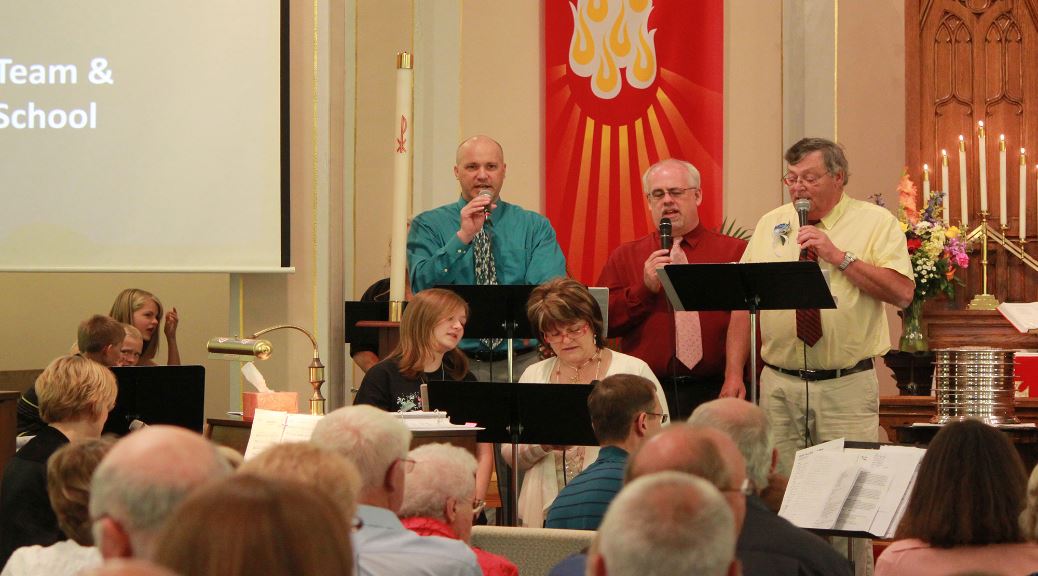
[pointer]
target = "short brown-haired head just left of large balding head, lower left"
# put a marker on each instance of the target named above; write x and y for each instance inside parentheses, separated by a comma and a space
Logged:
(69, 473)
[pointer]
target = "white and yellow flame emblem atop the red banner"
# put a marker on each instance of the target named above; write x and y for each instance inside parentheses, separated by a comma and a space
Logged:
(602, 45)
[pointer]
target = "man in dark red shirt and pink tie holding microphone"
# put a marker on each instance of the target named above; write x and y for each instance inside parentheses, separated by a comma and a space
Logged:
(685, 350)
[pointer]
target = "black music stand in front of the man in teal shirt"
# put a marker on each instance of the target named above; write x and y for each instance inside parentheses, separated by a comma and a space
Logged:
(497, 312)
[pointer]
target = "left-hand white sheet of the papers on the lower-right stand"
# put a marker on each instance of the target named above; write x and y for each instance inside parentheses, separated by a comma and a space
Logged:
(818, 487)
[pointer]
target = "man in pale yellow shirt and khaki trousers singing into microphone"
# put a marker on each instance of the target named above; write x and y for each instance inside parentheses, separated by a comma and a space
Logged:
(829, 380)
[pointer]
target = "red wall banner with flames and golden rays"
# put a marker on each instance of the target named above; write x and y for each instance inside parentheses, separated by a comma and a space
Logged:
(627, 84)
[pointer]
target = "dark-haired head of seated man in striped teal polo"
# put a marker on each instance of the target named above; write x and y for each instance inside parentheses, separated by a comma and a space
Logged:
(624, 410)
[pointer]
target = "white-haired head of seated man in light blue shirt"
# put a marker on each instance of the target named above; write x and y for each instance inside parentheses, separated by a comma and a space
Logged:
(377, 443)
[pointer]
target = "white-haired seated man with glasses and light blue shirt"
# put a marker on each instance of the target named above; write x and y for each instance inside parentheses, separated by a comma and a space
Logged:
(377, 443)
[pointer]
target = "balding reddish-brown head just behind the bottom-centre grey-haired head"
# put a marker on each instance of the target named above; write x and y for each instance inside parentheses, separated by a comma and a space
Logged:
(706, 453)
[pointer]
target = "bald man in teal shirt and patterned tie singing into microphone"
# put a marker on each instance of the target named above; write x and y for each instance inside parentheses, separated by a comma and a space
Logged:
(483, 240)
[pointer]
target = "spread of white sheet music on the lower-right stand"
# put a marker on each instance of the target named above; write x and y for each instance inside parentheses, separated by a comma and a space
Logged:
(853, 489)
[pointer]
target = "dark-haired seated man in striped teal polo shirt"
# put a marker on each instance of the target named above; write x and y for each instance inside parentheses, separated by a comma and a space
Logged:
(624, 413)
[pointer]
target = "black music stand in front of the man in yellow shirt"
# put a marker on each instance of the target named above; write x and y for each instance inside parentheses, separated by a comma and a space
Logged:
(753, 287)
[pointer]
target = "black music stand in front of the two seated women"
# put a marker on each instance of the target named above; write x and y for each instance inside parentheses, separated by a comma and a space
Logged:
(516, 414)
